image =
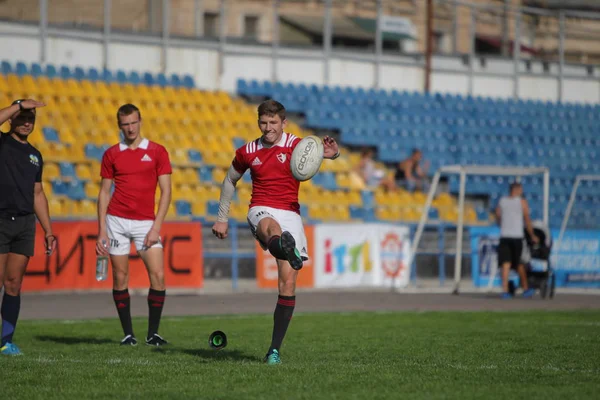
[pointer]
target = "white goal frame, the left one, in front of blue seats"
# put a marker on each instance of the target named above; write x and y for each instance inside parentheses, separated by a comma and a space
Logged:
(463, 171)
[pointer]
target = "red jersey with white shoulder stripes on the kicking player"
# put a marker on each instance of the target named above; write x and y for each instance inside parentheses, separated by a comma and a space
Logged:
(273, 184)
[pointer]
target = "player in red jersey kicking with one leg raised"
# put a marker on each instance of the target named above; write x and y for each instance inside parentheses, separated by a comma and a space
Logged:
(274, 213)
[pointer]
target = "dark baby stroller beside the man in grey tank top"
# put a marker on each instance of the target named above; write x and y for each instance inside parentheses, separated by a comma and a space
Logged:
(536, 259)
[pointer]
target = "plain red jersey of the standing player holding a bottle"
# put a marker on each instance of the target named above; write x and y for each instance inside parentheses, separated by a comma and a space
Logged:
(135, 174)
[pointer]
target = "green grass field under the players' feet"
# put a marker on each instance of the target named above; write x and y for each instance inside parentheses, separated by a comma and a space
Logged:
(545, 355)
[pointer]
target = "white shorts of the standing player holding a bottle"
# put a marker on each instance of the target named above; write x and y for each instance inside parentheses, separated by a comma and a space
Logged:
(122, 231)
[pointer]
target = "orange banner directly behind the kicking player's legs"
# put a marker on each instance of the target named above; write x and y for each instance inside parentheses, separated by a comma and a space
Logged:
(266, 265)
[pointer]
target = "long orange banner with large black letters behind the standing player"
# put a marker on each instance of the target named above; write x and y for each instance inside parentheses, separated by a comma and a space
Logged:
(73, 264)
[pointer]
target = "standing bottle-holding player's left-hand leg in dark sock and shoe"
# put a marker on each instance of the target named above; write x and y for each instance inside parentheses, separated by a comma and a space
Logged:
(120, 268)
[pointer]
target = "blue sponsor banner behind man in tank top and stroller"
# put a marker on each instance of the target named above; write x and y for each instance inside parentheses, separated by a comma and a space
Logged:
(575, 264)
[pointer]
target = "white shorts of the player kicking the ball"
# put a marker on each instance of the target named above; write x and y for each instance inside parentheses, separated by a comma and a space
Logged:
(287, 220)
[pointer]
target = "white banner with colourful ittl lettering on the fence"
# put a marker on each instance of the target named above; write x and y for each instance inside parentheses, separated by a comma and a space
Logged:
(355, 255)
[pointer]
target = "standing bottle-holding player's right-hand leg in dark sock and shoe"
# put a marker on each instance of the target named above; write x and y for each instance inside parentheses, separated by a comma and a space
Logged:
(153, 259)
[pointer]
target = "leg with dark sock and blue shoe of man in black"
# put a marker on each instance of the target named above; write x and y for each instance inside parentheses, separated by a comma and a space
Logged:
(15, 265)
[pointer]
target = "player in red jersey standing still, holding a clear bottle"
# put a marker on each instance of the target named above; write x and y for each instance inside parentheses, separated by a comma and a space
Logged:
(135, 166)
